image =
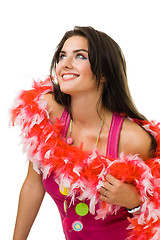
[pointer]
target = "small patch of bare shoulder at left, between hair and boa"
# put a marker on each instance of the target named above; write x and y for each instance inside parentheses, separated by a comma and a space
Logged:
(55, 109)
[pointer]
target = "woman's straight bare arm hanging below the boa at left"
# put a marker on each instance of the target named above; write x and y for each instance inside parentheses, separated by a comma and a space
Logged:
(30, 199)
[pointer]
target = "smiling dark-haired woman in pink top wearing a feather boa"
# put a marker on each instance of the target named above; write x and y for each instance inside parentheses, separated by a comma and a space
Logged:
(76, 125)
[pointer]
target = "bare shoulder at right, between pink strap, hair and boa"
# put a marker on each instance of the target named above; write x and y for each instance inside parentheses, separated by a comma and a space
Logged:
(135, 140)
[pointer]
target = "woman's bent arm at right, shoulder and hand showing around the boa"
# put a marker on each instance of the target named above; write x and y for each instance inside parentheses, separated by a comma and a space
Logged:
(133, 140)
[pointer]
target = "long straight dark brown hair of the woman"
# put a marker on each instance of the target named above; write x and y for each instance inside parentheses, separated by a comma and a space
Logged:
(107, 60)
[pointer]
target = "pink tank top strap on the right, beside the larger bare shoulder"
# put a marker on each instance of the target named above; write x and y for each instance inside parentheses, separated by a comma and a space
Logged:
(113, 136)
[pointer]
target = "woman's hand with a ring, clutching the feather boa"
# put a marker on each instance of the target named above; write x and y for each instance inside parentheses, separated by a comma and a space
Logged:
(119, 193)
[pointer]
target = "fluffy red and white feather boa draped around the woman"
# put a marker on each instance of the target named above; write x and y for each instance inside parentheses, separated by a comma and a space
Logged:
(84, 171)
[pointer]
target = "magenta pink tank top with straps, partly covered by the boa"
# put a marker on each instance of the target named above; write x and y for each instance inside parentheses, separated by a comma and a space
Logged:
(113, 227)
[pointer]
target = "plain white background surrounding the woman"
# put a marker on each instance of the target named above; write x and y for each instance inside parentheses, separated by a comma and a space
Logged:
(29, 33)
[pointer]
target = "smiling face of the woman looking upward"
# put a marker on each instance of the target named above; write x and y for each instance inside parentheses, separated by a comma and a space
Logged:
(73, 70)
